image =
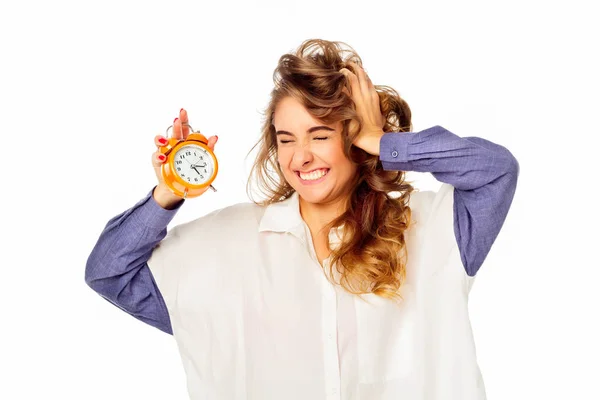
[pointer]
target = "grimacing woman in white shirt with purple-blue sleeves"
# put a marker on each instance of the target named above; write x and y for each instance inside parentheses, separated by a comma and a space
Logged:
(344, 283)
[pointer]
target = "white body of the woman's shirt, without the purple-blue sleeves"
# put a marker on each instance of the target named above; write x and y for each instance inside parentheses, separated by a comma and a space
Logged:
(255, 317)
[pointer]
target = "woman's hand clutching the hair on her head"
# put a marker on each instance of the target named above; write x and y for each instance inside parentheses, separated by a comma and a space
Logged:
(366, 99)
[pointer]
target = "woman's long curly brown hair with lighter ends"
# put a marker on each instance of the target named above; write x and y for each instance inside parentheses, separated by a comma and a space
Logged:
(372, 254)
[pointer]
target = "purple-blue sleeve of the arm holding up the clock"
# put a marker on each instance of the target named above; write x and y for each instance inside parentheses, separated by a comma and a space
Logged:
(117, 267)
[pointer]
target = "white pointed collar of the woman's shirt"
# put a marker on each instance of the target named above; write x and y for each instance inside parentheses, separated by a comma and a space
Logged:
(284, 216)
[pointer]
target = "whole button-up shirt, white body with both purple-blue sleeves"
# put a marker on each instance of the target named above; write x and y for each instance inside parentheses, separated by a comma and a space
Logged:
(255, 316)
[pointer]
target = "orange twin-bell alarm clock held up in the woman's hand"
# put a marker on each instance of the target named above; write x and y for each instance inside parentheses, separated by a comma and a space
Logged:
(190, 166)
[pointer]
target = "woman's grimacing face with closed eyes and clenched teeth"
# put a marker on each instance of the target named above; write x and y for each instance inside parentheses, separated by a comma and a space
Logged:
(311, 154)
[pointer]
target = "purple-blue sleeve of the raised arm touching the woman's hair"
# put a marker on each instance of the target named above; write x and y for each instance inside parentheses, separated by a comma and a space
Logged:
(483, 174)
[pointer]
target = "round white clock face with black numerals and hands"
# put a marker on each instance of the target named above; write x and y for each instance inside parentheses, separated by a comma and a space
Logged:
(193, 164)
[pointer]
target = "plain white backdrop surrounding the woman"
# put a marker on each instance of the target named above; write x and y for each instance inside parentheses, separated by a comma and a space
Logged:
(86, 85)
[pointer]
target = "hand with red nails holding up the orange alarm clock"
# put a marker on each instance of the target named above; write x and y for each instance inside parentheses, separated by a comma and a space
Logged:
(162, 193)
